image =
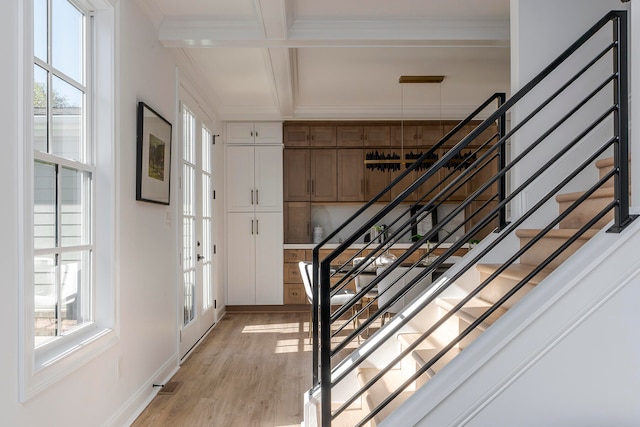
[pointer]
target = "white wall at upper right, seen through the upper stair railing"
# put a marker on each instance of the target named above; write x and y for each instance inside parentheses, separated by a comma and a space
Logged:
(541, 30)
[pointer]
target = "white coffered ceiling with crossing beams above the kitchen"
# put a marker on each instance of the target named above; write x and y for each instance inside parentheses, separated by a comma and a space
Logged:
(339, 59)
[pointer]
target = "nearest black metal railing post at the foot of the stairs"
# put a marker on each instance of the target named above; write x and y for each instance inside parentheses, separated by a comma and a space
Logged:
(325, 343)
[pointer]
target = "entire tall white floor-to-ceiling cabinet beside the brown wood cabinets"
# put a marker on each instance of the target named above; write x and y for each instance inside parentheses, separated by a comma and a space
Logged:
(254, 214)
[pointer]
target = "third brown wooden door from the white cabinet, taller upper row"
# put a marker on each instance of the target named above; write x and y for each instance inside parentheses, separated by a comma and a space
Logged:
(350, 175)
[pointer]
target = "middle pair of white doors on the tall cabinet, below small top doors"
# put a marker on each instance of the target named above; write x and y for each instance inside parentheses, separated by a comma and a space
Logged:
(254, 178)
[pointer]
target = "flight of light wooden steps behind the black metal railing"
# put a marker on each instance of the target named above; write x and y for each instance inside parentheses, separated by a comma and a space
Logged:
(427, 351)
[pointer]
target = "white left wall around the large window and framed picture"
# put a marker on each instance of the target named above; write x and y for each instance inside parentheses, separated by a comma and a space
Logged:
(113, 386)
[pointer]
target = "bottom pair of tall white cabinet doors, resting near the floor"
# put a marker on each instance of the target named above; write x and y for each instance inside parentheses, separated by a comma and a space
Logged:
(254, 258)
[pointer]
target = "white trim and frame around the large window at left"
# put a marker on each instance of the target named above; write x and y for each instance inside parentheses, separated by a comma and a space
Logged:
(42, 367)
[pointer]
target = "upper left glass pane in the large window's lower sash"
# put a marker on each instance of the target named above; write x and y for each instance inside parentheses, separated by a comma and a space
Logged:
(44, 206)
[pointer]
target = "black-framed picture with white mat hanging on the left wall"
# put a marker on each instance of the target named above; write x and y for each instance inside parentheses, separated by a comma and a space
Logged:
(153, 170)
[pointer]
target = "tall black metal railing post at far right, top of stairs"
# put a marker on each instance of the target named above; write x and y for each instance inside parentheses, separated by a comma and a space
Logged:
(621, 124)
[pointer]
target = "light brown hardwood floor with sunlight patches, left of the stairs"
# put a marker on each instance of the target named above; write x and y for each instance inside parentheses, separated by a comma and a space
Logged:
(251, 370)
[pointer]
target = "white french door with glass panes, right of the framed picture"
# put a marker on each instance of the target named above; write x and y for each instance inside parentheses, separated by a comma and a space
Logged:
(197, 299)
